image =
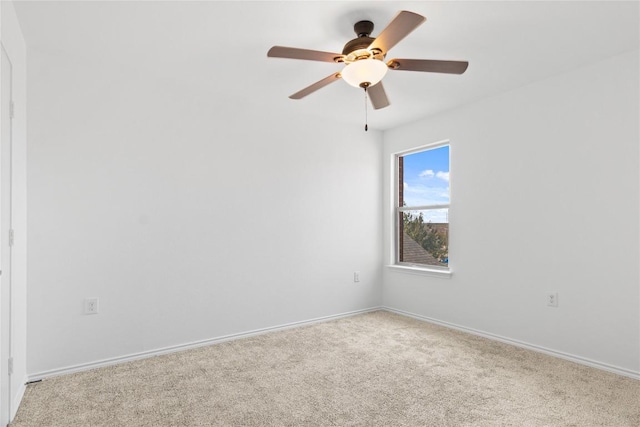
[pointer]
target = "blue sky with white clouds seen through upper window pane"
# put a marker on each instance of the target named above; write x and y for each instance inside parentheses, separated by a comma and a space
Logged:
(426, 177)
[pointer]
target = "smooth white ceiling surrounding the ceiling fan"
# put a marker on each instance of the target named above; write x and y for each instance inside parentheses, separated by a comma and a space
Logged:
(218, 49)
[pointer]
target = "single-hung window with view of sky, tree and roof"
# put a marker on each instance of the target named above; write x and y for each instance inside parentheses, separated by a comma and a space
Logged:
(422, 208)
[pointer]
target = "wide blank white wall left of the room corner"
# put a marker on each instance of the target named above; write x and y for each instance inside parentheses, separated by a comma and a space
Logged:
(189, 217)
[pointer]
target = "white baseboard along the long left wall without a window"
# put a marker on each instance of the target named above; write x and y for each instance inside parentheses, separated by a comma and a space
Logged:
(181, 347)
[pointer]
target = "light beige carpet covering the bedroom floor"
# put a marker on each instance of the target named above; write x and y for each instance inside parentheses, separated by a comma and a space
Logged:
(375, 369)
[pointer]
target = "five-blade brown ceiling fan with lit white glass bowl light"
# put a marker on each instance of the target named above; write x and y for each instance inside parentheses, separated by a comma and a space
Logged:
(364, 57)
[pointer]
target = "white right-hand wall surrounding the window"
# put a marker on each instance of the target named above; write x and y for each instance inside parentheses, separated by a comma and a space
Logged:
(545, 198)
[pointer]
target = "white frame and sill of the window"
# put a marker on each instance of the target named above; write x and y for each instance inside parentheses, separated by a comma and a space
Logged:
(407, 267)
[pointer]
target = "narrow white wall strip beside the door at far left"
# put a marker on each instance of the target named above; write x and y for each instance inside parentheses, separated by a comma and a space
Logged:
(14, 44)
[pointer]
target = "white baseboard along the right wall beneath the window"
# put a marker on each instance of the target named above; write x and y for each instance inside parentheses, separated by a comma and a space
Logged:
(570, 357)
